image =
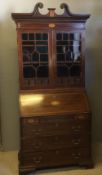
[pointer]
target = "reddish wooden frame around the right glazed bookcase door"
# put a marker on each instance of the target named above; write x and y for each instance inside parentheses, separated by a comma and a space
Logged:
(82, 57)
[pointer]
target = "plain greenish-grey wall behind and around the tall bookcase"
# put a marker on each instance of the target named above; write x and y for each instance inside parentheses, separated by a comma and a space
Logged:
(9, 82)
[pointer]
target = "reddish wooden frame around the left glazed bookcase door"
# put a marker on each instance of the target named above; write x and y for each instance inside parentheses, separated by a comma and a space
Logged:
(20, 51)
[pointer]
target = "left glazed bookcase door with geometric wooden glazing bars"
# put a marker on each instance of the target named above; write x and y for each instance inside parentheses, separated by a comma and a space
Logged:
(35, 60)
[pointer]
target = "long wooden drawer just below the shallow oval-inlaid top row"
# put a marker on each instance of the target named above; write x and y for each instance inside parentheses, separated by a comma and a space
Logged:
(57, 130)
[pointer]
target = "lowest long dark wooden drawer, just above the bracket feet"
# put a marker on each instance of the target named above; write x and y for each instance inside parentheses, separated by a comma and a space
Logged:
(55, 157)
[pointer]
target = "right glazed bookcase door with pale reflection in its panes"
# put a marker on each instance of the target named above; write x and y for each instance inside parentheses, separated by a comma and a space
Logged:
(68, 60)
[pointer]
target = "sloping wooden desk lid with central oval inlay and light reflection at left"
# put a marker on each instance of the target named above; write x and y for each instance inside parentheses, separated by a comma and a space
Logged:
(51, 102)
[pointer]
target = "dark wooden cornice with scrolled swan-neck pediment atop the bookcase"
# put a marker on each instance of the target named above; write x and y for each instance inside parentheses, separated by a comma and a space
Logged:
(36, 15)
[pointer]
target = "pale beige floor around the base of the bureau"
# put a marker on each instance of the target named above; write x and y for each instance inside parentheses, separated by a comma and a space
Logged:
(9, 165)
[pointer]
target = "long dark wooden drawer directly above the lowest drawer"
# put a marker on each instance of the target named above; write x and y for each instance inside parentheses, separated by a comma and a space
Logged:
(54, 142)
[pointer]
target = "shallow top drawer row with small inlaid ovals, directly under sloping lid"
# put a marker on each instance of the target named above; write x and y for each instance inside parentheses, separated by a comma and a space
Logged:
(53, 120)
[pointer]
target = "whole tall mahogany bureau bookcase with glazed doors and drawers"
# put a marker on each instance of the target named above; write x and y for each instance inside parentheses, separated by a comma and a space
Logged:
(55, 117)
